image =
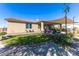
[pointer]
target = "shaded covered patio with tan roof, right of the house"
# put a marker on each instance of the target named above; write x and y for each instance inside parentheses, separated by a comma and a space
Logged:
(48, 26)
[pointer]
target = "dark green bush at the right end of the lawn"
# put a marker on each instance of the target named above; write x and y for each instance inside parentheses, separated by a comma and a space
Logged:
(63, 39)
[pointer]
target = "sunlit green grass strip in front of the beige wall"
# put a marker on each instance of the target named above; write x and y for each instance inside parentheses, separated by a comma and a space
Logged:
(30, 39)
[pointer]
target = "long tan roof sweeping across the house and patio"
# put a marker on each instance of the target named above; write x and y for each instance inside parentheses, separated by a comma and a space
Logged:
(50, 22)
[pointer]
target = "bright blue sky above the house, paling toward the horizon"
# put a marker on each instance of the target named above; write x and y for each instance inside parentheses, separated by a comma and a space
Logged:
(36, 11)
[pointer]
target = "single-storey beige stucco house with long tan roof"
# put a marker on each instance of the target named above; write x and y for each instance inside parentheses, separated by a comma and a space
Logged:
(20, 26)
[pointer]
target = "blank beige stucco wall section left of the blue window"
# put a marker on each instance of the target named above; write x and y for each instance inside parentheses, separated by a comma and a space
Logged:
(15, 27)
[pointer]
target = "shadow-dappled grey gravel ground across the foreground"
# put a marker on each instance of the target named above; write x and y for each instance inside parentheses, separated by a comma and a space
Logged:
(44, 49)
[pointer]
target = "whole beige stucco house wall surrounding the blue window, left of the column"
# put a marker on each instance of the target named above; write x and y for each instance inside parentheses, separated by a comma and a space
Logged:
(19, 28)
